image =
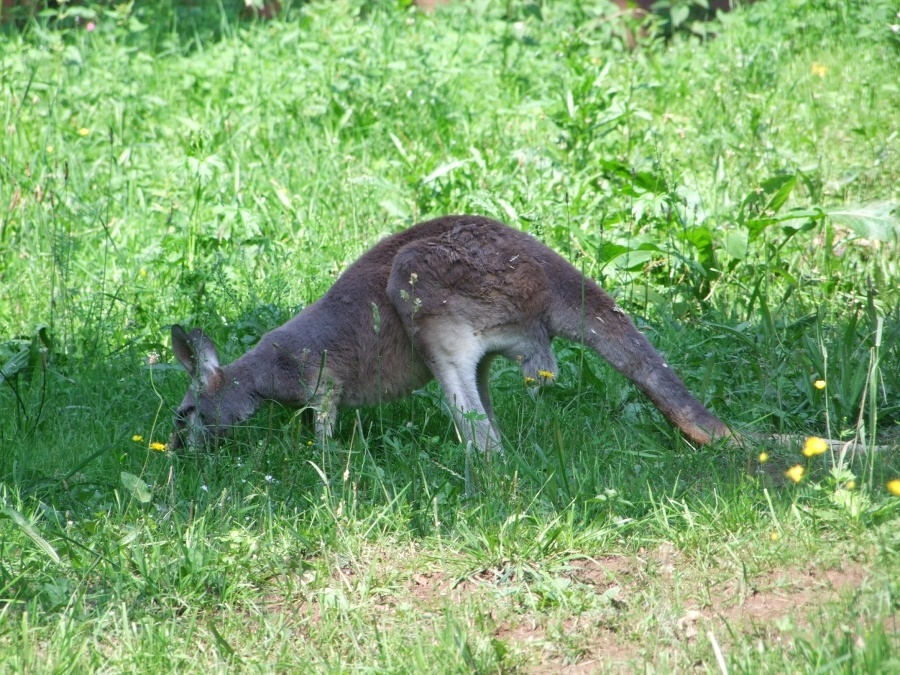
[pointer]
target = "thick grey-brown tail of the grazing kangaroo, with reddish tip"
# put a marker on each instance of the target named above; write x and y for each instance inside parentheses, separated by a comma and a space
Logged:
(584, 312)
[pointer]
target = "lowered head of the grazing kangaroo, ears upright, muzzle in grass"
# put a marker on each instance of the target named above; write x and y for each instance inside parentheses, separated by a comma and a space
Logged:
(213, 404)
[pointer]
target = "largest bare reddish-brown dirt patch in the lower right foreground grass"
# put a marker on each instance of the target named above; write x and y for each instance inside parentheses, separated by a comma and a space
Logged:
(600, 645)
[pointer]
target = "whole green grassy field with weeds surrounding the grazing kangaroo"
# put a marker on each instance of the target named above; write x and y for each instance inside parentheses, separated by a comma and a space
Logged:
(737, 194)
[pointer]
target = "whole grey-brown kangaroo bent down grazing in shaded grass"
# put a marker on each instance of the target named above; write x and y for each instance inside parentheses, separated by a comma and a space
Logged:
(439, 300)
